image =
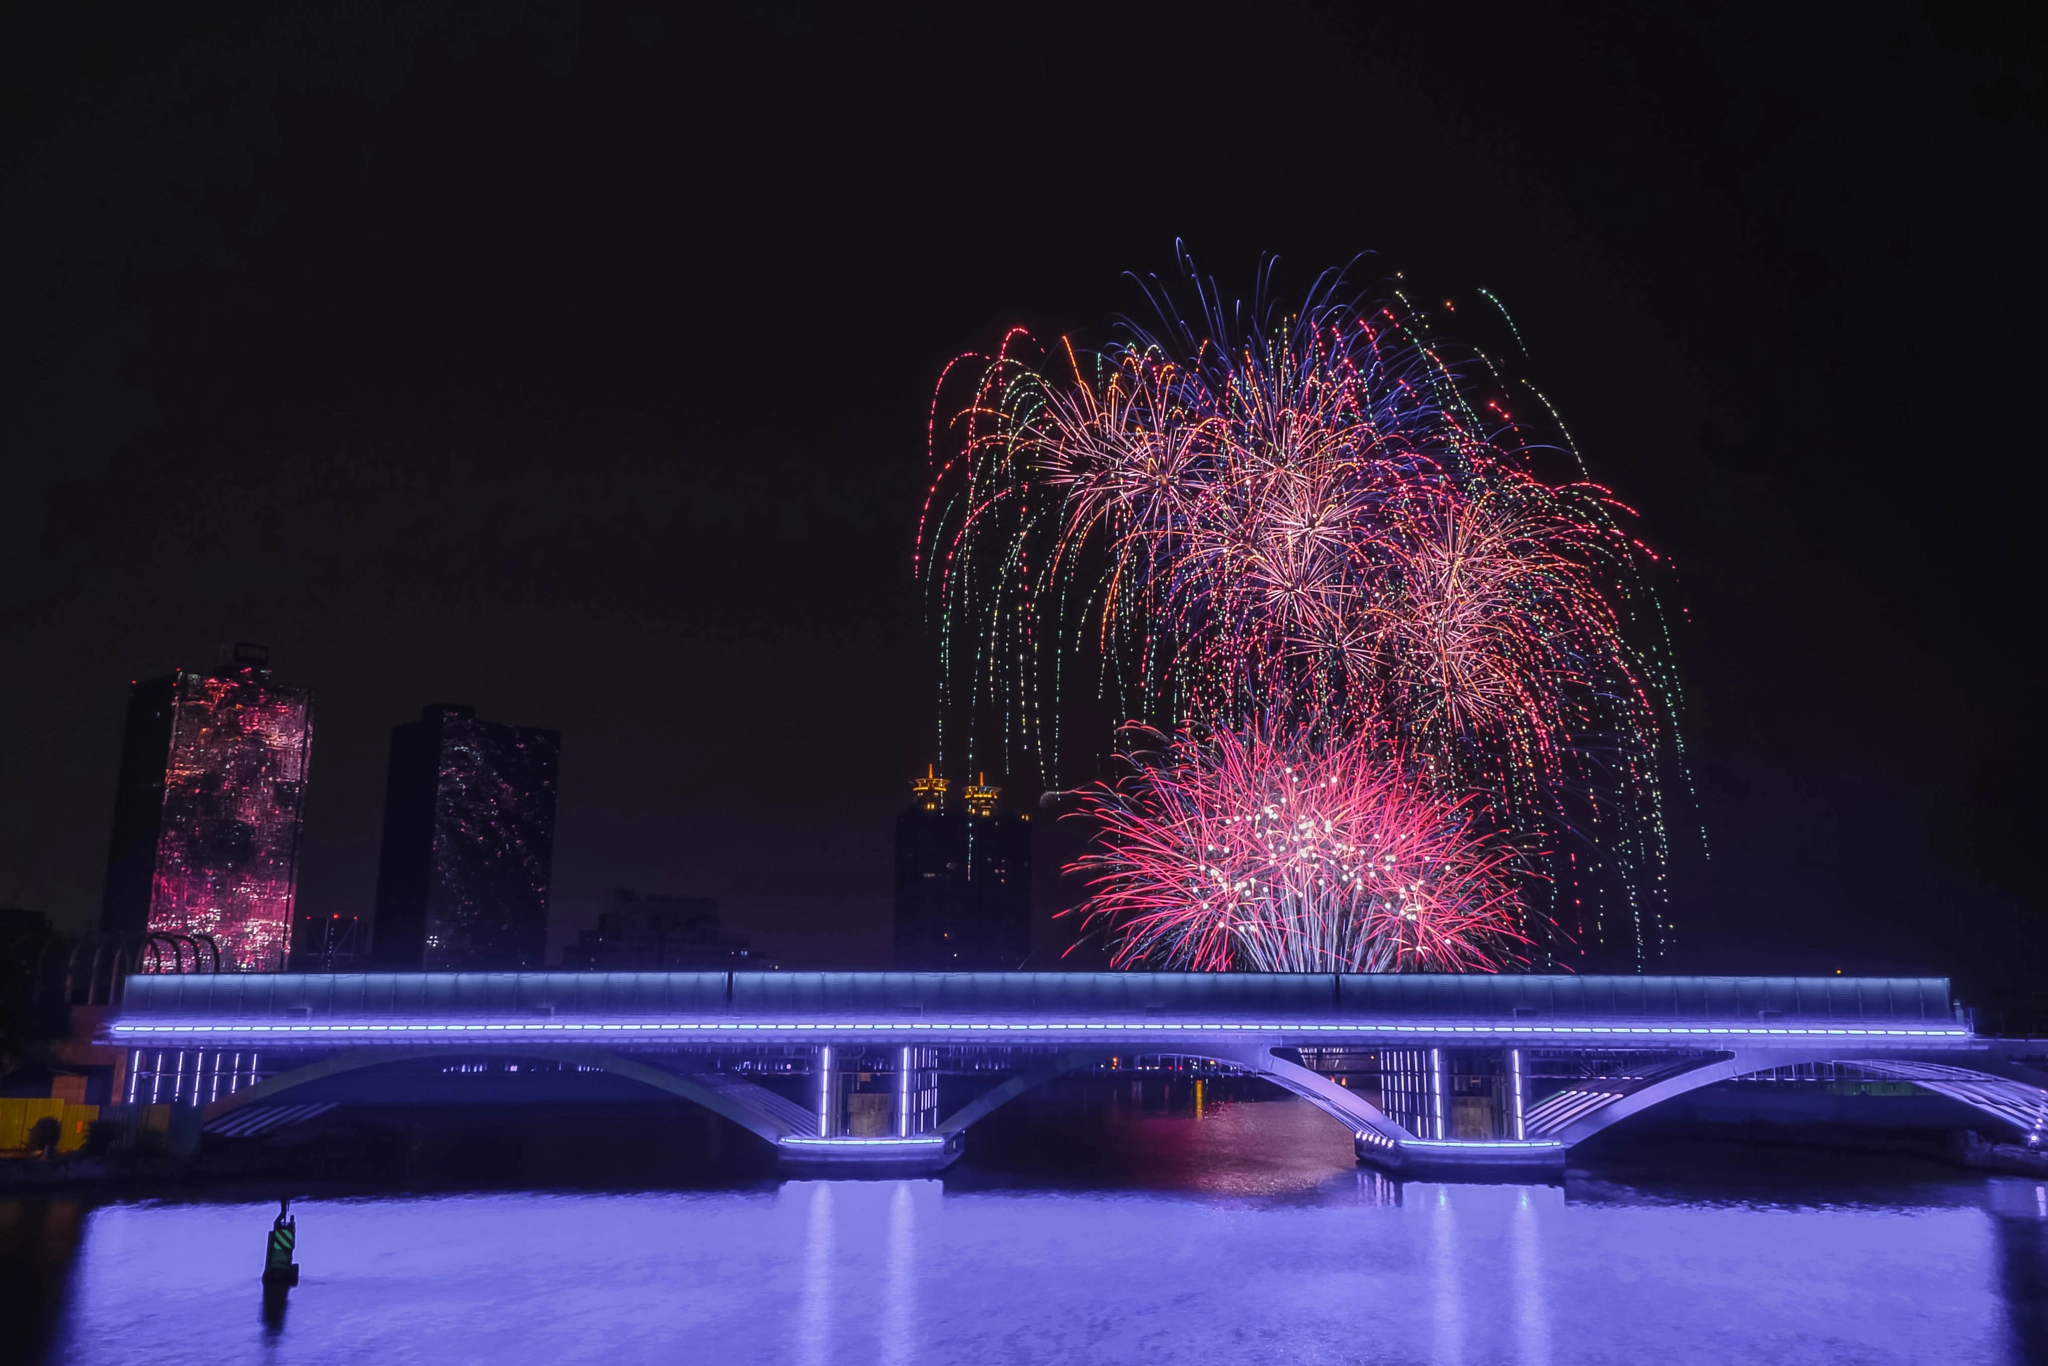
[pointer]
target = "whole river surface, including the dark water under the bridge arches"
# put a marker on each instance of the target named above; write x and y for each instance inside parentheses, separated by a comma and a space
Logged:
(1089, 1234)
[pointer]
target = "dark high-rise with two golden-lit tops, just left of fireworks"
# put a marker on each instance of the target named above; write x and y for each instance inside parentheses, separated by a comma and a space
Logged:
(964, 882)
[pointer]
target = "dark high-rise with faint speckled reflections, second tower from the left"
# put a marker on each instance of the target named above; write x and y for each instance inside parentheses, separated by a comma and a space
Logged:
(468, 845)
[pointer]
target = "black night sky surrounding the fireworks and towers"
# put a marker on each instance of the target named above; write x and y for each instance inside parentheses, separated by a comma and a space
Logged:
(574, 364)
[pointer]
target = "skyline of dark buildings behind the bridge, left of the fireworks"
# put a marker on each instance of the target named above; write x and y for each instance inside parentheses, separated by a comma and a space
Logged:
(466, 847)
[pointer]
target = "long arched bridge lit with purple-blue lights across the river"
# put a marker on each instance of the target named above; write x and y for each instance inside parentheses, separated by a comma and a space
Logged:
(890, 1070)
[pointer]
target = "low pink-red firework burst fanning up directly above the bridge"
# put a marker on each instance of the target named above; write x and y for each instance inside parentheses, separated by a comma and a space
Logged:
(1269, 853)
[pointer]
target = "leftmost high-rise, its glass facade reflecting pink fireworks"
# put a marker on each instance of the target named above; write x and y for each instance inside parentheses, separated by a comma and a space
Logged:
(208, 812)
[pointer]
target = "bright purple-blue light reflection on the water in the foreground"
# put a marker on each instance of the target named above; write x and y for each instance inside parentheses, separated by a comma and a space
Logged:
(904, 1273)
